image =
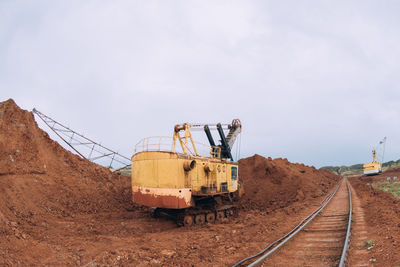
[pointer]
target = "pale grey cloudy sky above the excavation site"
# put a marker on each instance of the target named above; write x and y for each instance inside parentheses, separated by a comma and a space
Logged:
(316, 82)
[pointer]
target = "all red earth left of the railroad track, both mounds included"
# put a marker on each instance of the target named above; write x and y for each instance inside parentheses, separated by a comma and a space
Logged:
(59, 209)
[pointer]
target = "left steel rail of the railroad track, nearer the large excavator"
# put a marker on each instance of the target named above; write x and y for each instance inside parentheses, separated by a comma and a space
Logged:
(284, 239)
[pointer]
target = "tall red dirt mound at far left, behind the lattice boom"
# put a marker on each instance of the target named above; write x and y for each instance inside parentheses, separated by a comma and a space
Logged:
(39, 180)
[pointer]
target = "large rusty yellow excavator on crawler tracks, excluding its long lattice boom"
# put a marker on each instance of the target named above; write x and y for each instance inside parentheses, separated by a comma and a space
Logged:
(178, 181)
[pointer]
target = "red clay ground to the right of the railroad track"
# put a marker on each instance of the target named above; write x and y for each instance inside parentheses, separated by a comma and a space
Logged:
(381, 216)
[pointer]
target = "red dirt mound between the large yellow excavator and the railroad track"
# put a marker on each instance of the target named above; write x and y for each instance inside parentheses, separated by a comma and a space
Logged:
(272, 184)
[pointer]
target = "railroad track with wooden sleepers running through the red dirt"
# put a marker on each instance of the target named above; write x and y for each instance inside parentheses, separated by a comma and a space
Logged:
(320, 239)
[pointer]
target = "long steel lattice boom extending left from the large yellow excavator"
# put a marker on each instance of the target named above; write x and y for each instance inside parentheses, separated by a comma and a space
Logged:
(77, 142)
